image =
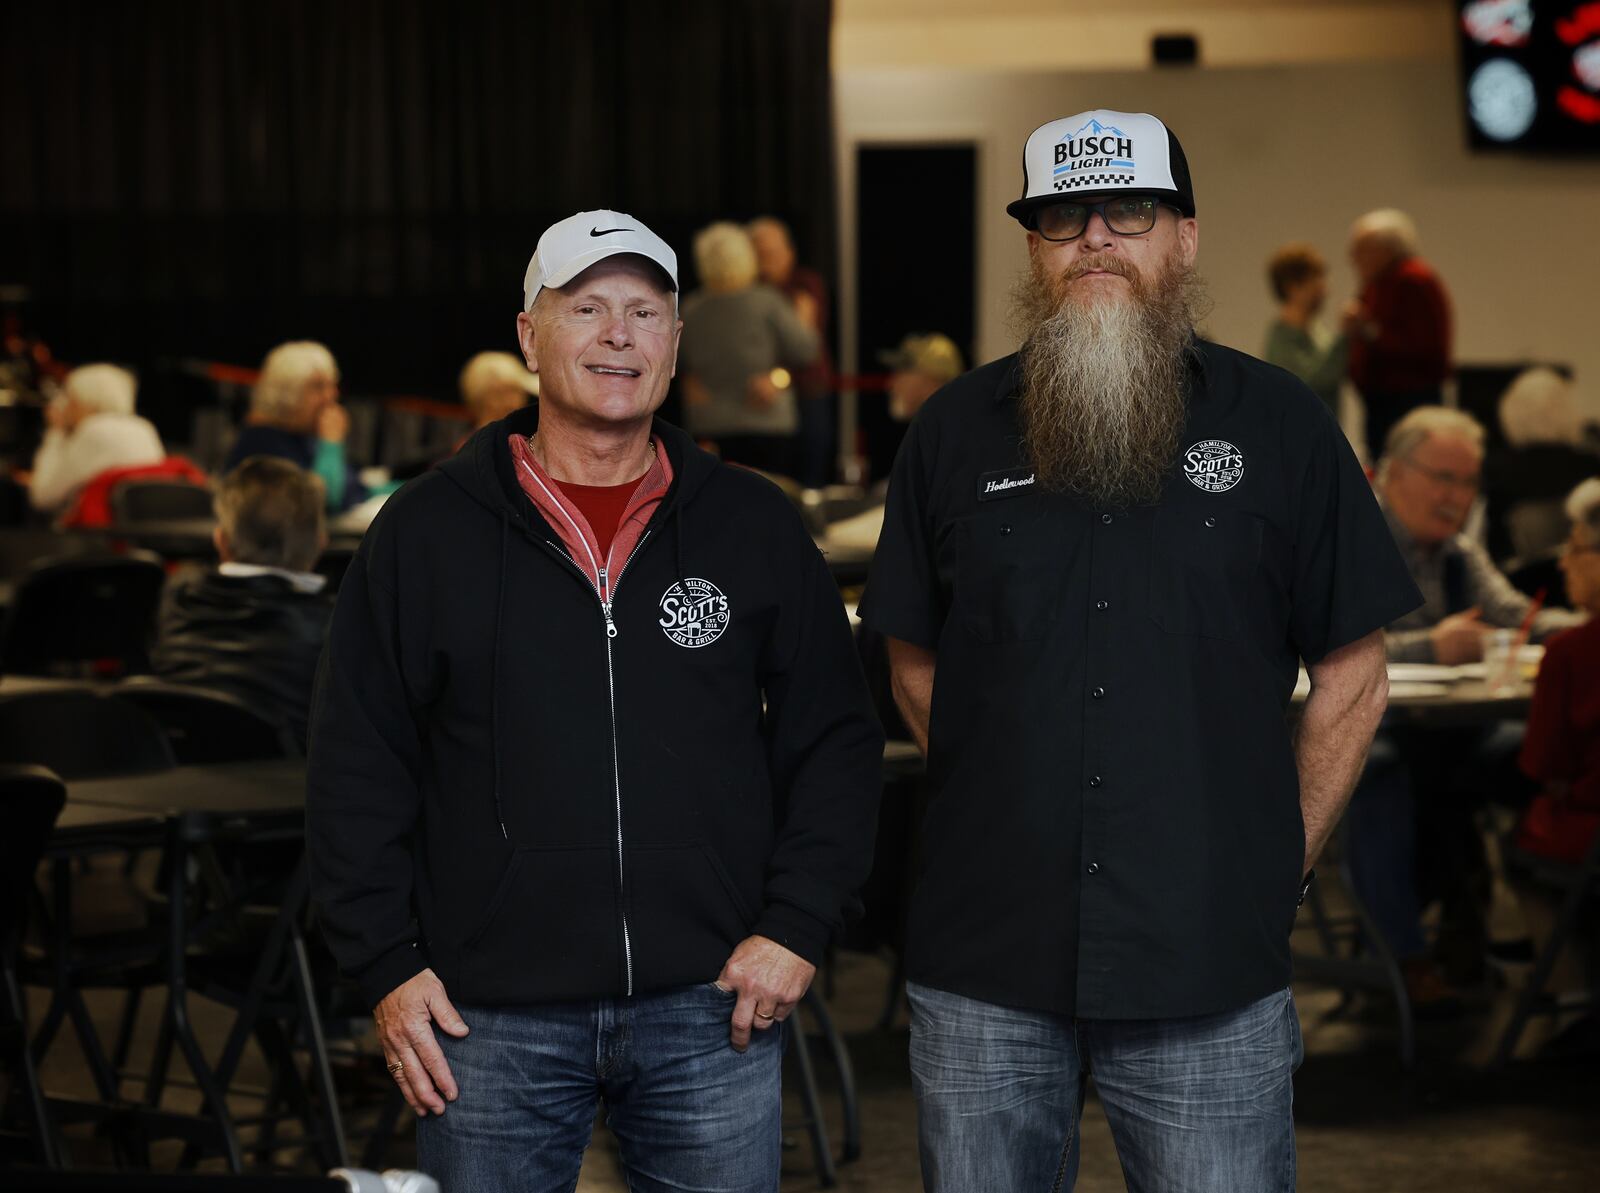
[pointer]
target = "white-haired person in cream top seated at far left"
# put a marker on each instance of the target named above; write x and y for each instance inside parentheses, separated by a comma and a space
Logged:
(92, 429)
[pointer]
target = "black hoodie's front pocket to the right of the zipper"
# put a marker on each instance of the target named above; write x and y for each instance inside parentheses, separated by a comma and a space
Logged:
(686, 914)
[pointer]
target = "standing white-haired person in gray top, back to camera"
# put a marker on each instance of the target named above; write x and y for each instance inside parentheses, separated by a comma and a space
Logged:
(742, 346)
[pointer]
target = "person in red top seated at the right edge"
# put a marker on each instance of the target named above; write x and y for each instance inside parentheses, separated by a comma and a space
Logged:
(1562, 744)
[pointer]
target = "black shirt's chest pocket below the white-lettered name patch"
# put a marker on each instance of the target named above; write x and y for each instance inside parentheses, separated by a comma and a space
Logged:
(1009, 585)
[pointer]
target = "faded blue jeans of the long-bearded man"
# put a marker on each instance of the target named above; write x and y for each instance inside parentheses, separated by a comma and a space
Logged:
(1196, 1106)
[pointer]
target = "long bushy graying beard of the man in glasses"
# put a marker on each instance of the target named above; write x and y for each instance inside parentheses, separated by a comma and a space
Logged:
(1103, 383)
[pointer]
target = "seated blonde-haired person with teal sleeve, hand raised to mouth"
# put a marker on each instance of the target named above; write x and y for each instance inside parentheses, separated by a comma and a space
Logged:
(295, 415)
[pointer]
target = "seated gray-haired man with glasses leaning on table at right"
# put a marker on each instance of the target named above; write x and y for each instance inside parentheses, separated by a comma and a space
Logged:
(1412, 820)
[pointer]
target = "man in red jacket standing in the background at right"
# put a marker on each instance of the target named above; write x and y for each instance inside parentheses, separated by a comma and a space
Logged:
(1399, 329)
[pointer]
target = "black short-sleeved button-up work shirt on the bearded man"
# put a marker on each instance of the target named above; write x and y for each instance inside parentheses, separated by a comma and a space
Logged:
(1116, 826)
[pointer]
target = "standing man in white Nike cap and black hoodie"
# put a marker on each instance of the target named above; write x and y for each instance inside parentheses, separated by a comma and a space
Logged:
(593, 770)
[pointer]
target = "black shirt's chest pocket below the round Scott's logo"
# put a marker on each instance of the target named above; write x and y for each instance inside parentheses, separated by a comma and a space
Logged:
(1202, 572)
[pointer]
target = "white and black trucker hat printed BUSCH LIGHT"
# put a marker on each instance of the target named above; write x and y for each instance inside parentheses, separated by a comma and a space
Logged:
(1098, 153)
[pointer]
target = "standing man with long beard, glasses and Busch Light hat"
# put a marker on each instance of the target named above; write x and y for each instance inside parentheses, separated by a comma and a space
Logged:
(1113, 551)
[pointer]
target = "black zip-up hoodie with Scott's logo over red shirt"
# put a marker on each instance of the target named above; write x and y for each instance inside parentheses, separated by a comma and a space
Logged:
(542, 812)
